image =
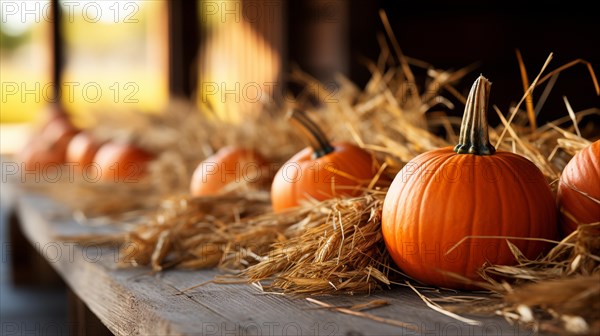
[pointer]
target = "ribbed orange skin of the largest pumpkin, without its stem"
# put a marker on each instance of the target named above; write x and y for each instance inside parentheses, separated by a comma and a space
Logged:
(440, 197)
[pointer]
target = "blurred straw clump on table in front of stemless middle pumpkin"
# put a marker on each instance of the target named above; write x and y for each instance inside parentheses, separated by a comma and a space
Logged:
(197, 232)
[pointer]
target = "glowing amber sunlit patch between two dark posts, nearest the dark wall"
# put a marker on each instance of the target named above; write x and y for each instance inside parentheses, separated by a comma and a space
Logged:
(239, 57)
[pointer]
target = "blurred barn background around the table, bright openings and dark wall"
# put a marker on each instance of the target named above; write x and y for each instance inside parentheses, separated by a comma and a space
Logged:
(233, 56)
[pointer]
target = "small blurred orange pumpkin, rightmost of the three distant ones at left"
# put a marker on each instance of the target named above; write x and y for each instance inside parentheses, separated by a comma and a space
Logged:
(122, 162)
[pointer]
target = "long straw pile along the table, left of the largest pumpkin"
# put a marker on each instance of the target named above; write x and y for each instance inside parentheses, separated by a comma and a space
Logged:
(331, 246)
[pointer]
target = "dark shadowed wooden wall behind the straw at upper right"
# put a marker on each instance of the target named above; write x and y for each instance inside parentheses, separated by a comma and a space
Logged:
(453, 34)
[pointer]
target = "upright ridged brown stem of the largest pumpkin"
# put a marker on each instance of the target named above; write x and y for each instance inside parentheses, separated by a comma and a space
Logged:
(474, 138)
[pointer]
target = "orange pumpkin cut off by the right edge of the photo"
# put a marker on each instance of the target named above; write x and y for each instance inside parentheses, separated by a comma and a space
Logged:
(581, 173)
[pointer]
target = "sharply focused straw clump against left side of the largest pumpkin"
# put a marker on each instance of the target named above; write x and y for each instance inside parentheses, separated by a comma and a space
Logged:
(338, 248)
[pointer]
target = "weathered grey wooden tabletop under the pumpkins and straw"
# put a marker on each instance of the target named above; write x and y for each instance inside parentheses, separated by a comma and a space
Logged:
(138, 302)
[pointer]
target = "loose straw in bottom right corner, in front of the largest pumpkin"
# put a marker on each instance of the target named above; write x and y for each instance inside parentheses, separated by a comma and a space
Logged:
(559, 293)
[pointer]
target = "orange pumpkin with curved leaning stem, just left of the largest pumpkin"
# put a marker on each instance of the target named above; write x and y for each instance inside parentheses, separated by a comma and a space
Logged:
(322, 171)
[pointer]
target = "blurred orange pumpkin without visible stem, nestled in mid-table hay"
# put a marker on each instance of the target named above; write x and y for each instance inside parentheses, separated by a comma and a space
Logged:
(230, 165)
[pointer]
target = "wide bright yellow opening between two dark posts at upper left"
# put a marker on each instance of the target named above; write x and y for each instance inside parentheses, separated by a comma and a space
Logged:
(116, 55)
